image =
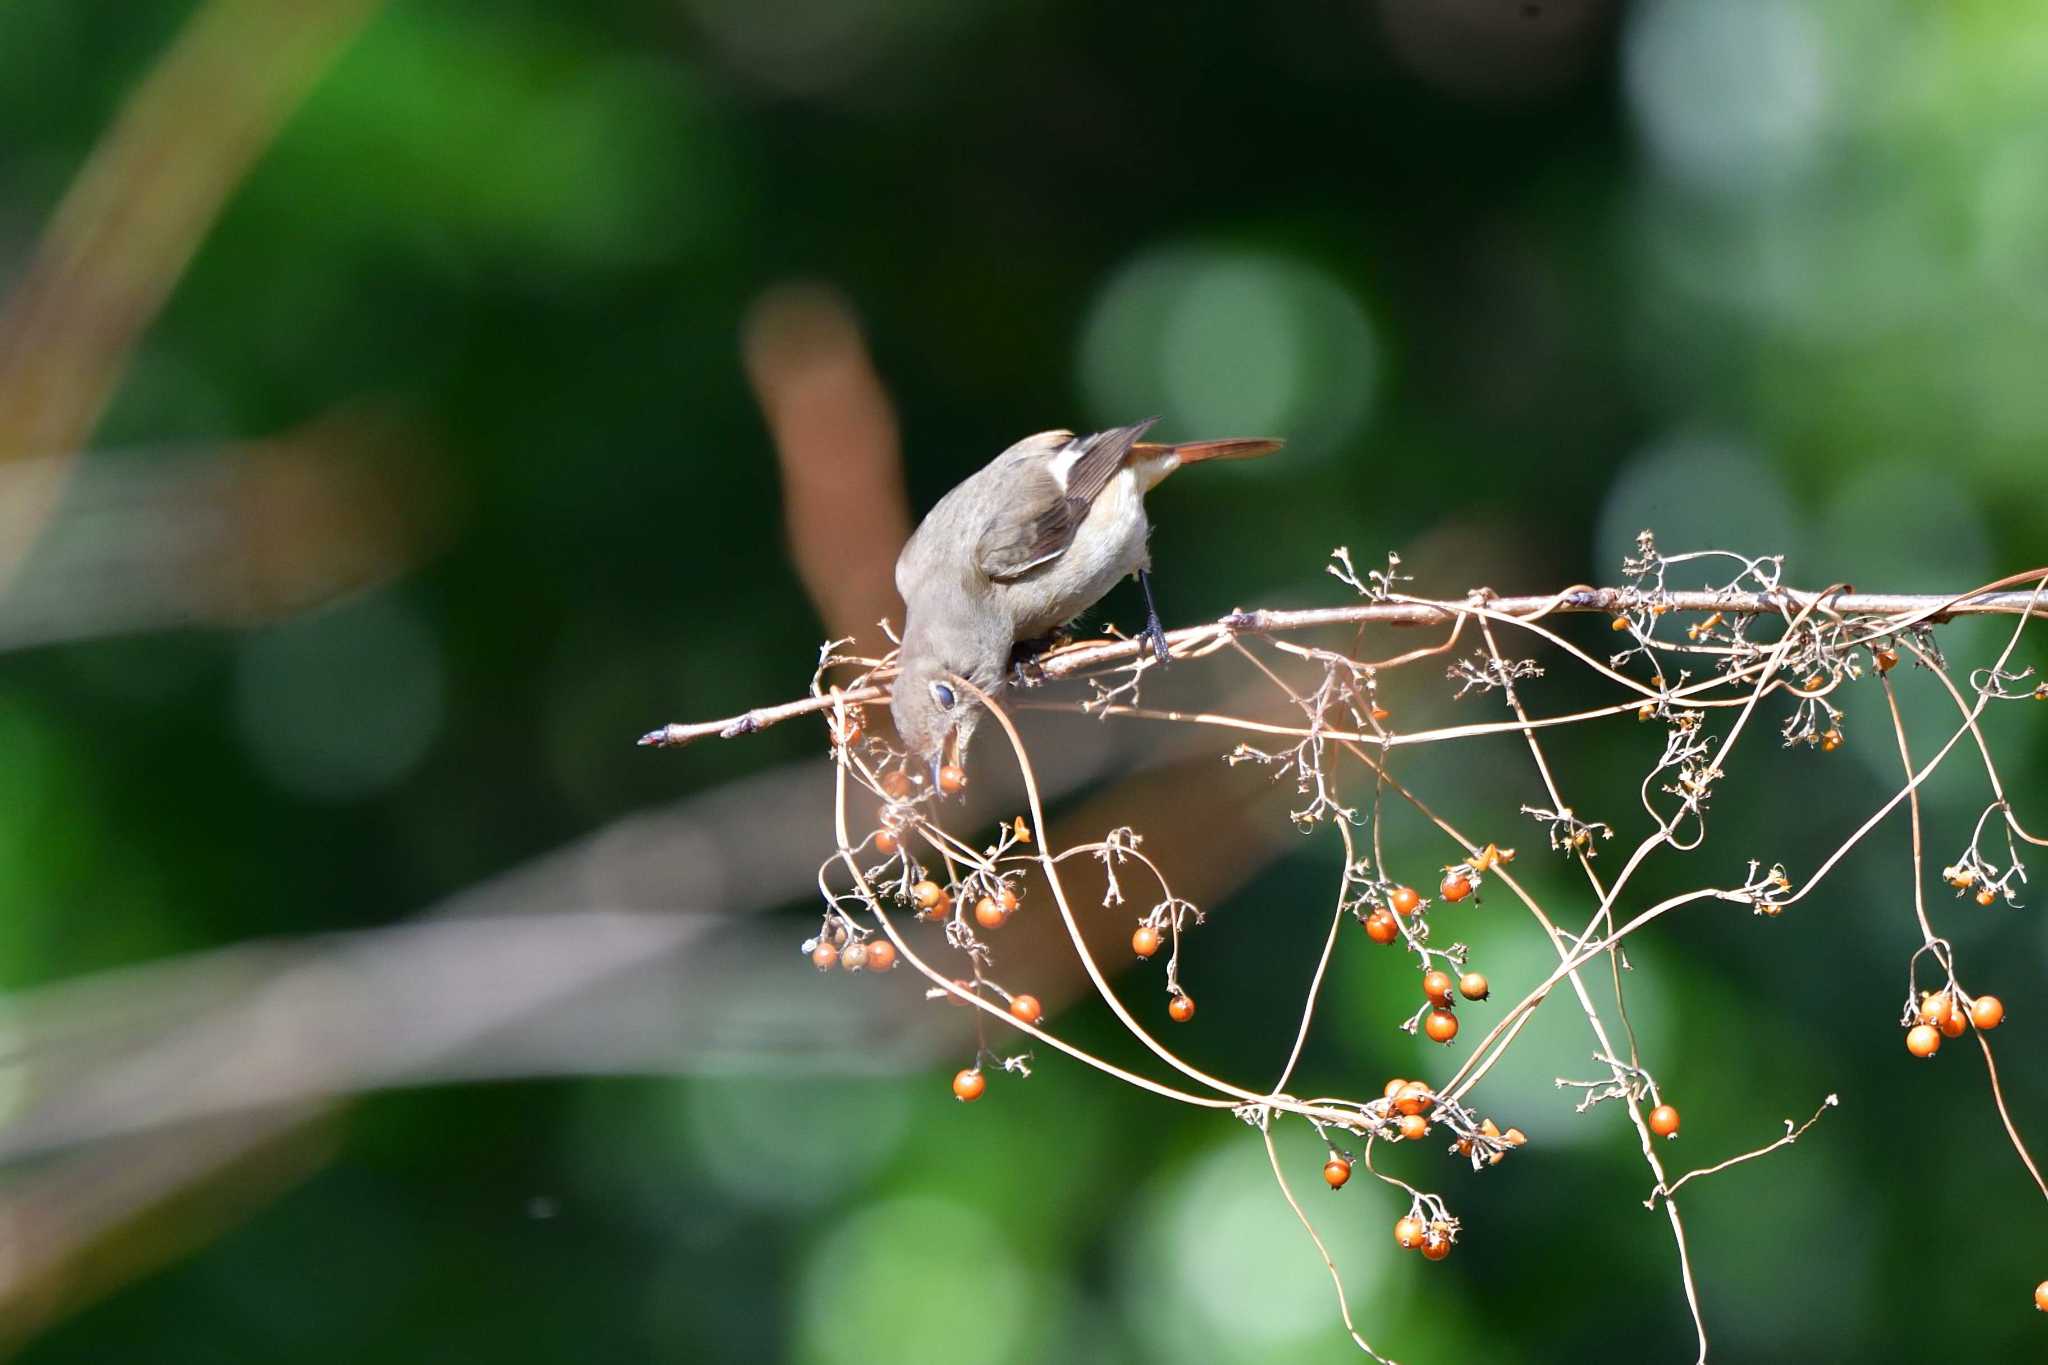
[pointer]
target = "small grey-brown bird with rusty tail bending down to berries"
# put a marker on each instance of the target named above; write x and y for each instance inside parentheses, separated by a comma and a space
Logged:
(1017, 552)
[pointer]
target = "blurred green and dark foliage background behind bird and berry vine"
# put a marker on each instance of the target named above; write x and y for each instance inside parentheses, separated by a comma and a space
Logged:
(439, 476)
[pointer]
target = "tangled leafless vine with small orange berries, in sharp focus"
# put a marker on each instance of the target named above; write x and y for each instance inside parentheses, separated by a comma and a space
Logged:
(1707, 666)
